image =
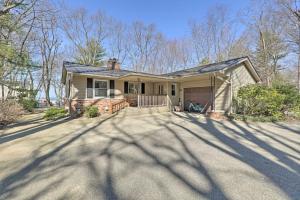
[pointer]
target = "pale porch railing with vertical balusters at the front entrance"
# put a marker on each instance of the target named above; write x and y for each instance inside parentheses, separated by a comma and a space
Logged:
(151, 100)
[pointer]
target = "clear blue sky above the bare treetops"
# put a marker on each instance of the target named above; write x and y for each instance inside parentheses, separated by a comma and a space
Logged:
(170, 16)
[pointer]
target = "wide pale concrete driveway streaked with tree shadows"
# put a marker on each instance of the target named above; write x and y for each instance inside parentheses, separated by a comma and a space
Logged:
(155, 156)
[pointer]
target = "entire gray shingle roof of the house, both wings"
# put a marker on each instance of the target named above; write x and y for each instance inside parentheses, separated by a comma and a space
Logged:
(104, 71)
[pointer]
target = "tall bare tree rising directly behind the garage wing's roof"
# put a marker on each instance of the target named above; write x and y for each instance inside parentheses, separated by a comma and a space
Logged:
(214, 37)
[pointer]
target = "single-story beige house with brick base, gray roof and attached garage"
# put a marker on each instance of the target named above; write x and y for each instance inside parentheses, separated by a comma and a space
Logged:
(111, 88)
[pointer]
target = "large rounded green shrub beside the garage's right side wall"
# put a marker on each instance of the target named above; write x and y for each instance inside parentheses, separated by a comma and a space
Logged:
(260, 101)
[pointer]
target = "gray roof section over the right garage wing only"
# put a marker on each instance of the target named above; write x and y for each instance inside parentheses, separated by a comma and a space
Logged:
(214, 67)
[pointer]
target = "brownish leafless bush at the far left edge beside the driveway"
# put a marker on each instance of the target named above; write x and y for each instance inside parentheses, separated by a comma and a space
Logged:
(10, 110)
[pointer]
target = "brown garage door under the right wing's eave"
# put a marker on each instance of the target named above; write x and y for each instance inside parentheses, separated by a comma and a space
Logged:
(201, 95)
